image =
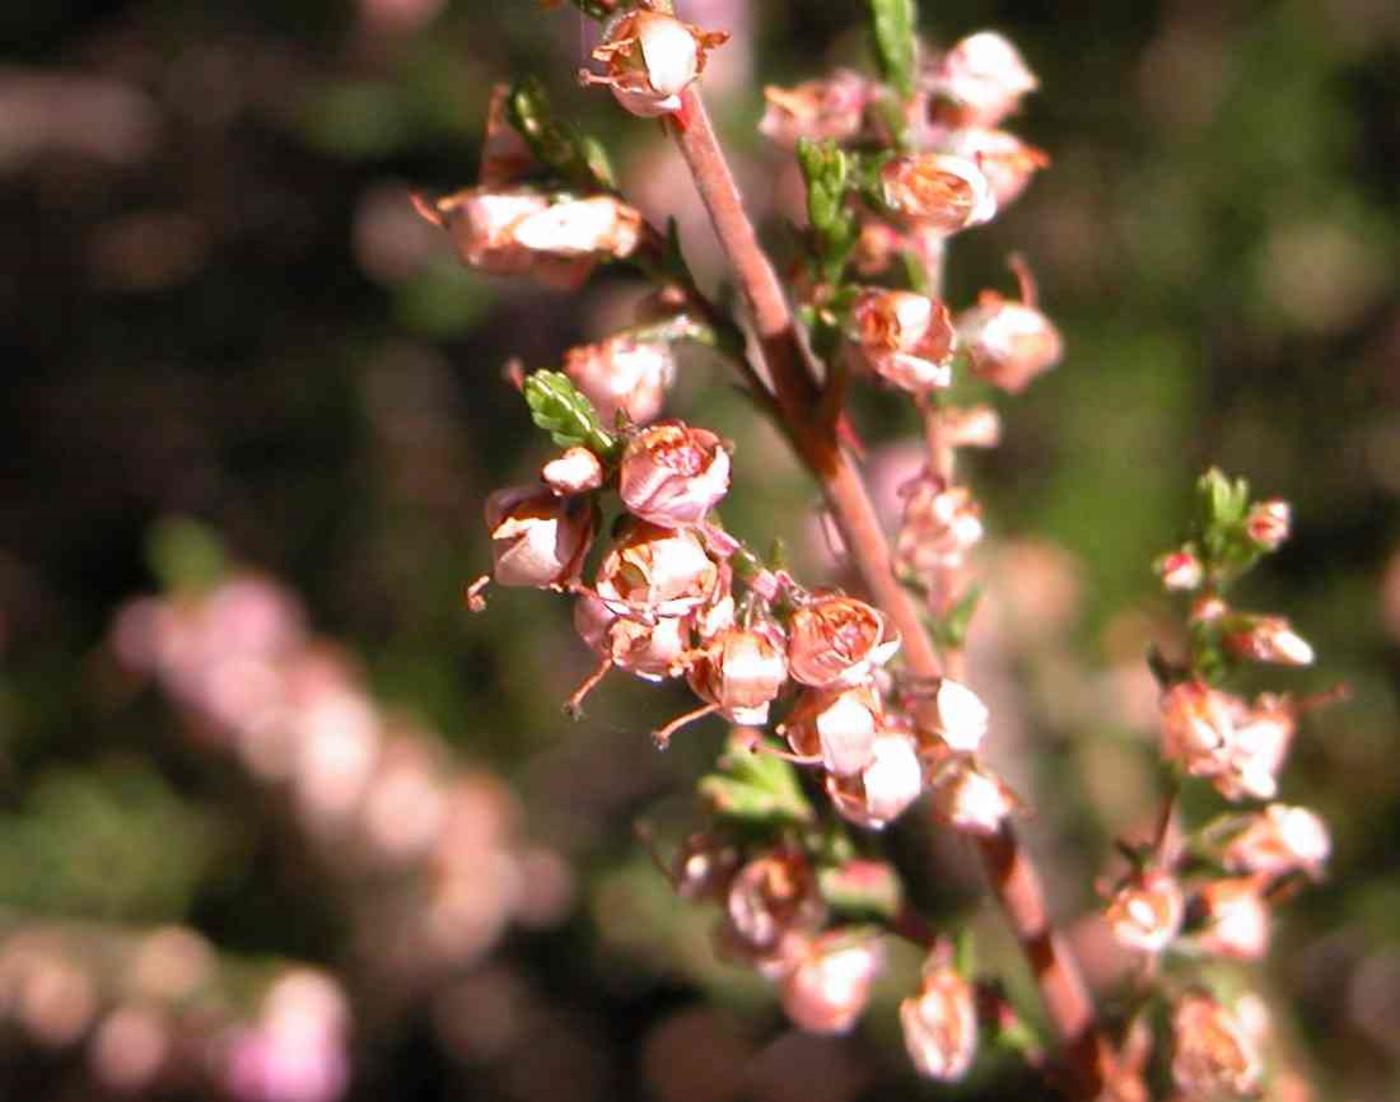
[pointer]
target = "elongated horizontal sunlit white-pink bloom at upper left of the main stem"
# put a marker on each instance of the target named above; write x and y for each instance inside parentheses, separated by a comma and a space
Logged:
(517, 232)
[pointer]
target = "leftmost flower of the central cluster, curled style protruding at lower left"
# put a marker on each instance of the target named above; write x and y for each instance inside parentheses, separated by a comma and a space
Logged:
(538, 538)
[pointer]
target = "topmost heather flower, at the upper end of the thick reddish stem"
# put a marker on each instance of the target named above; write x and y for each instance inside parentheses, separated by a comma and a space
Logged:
(652, 58)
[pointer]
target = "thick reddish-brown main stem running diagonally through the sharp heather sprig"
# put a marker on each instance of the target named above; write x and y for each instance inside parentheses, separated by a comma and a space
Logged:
(797, 394)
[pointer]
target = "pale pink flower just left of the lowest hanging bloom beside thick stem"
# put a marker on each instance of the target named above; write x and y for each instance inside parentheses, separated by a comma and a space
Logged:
(828, 984)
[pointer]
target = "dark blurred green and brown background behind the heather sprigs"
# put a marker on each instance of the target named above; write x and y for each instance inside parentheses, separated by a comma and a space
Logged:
(216, 303)
